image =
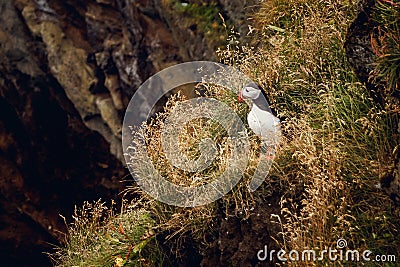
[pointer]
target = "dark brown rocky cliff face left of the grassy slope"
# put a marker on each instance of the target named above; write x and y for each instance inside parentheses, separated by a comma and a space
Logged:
(68, 71)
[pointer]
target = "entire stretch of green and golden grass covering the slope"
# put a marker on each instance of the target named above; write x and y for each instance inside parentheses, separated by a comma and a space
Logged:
(337, 145)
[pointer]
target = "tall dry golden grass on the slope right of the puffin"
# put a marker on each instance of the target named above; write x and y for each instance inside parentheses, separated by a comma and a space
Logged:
(337, 142)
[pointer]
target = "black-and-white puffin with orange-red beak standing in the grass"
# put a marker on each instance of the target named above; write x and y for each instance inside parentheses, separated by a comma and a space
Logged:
(260, 119)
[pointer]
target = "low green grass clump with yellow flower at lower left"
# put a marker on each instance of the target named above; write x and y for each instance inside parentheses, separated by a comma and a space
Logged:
(99, 237)
